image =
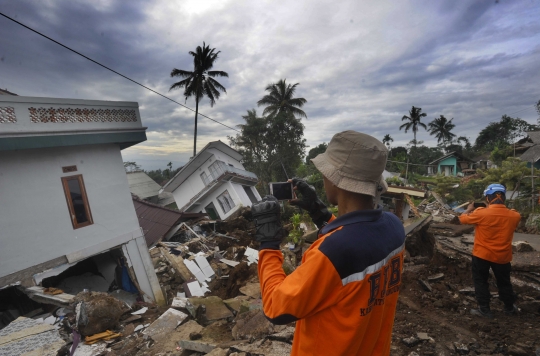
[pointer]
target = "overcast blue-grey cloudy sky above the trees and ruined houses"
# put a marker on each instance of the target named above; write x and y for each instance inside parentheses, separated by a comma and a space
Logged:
(361, 65)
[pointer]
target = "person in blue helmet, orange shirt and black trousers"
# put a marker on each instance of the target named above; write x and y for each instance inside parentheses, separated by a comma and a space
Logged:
(494, 231)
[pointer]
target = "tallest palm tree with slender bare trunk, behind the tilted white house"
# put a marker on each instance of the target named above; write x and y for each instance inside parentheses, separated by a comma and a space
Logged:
(199, 82)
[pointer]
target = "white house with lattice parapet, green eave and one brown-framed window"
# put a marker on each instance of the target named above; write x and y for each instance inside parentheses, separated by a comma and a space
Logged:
(66, 212)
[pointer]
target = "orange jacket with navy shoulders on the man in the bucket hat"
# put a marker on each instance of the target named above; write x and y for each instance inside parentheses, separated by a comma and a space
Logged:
(344, 294)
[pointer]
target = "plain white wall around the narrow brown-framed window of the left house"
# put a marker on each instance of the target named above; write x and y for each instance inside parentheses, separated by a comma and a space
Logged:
(34, 217)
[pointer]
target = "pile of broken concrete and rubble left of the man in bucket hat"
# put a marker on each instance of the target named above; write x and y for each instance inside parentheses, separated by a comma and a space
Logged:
(213, 299)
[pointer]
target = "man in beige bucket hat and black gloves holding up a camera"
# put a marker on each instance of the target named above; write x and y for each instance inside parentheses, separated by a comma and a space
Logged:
(344, 294)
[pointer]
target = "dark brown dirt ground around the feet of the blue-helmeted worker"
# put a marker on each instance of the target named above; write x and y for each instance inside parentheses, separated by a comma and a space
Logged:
(444, 314)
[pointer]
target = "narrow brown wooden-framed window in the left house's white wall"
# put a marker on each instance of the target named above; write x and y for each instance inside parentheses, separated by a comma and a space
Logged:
(77, 201)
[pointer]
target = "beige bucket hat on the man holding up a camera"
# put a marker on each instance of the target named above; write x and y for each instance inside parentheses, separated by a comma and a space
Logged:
(354, 162)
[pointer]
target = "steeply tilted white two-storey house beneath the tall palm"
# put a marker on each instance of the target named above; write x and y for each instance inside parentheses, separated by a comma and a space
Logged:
(214, 182)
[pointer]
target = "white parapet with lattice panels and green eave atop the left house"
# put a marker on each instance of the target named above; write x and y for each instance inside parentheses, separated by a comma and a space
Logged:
(33, 123)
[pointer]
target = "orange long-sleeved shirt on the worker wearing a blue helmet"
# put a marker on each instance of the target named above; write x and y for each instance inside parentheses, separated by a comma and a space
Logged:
(494, 231)
